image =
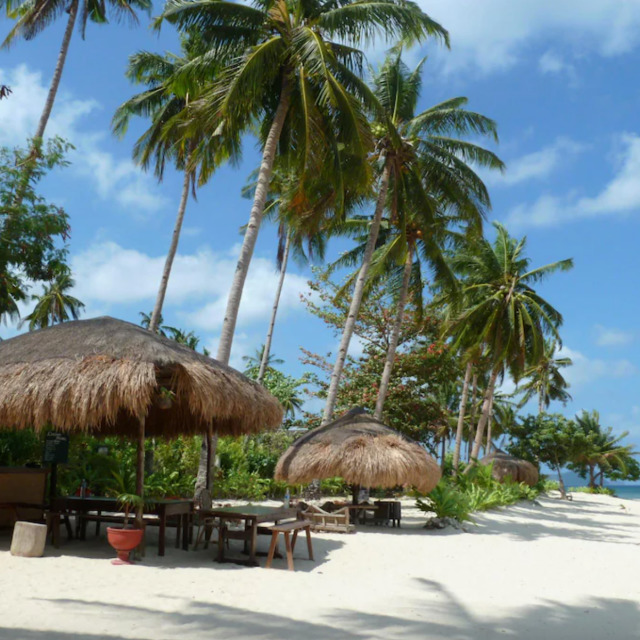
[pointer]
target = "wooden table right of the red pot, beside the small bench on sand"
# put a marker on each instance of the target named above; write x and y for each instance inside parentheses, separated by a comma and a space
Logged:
(252, 516)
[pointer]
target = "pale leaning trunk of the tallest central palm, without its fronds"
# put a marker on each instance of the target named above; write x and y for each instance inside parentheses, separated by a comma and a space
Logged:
(255, 219)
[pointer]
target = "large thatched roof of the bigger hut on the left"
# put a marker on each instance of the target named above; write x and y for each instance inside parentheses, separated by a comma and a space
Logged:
(103, 375)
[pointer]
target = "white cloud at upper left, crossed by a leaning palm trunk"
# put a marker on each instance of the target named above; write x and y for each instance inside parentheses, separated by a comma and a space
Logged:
(114, 178)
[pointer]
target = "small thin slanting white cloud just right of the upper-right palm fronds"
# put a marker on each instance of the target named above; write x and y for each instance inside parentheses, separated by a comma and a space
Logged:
(538, 164)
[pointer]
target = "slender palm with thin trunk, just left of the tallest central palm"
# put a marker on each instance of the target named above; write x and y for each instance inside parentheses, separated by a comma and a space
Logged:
(165, 98)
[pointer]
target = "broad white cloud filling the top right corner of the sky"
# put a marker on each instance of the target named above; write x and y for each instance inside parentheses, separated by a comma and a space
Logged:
(493, 35)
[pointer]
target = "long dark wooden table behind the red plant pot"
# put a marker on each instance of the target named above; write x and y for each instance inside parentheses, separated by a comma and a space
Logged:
(162, 507)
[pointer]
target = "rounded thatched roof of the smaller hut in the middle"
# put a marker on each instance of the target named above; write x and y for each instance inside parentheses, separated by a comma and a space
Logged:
(363, 451)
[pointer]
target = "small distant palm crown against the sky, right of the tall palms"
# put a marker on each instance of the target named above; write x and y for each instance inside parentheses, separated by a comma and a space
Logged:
(545, 380)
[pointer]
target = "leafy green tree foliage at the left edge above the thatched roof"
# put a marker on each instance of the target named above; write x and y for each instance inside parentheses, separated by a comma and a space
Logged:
(31, 229)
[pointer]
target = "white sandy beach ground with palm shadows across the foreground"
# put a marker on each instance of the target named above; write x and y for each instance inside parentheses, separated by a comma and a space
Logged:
(542, 571)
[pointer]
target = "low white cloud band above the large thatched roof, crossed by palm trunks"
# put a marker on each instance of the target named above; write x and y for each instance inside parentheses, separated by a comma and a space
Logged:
(108, 274)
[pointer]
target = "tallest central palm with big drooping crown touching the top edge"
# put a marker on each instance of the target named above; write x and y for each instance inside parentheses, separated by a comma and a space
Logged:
(289, 75)
